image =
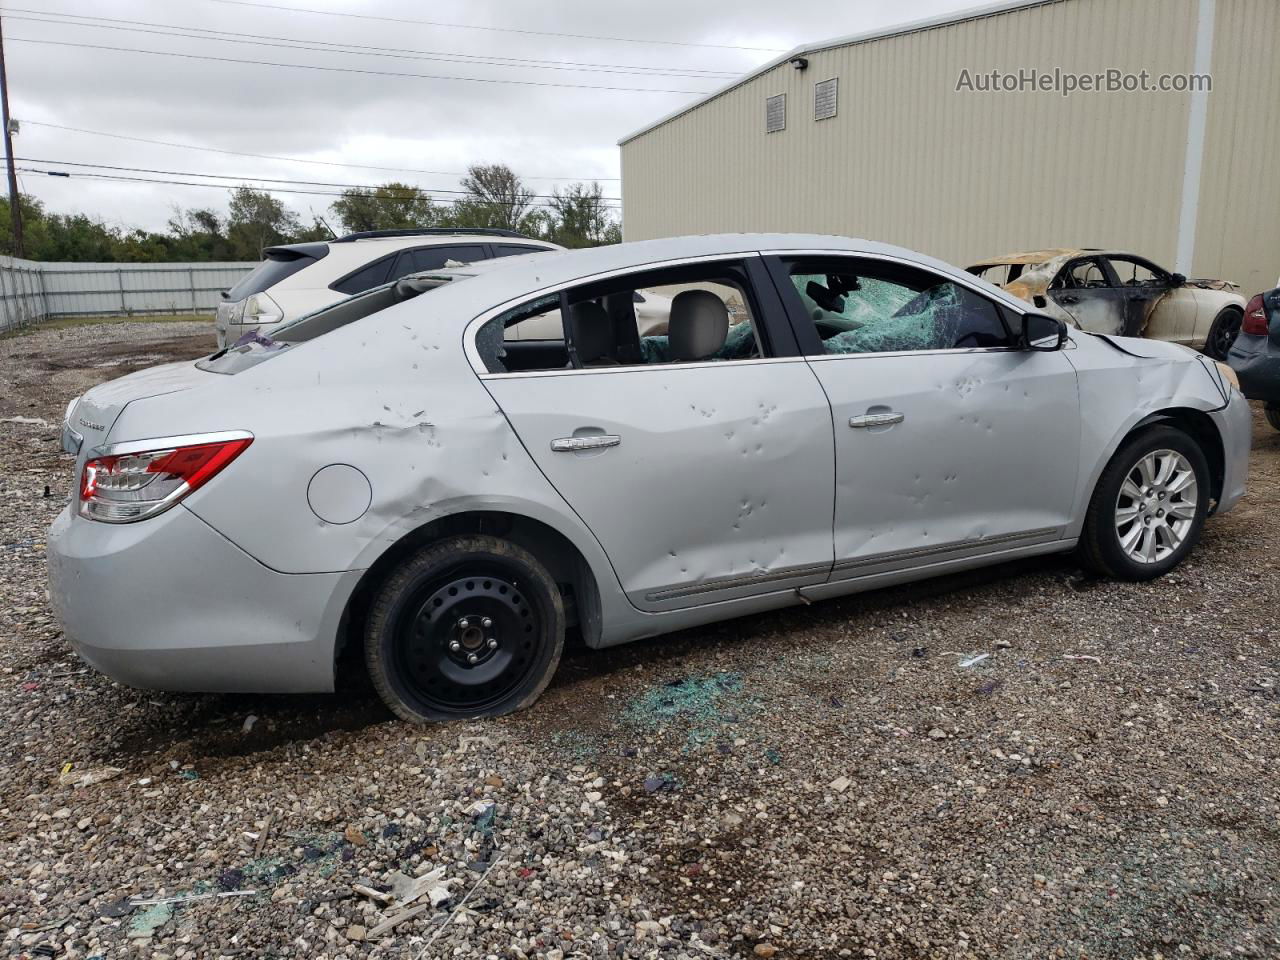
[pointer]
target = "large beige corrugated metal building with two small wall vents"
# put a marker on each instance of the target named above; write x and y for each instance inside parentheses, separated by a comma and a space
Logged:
(870, 136)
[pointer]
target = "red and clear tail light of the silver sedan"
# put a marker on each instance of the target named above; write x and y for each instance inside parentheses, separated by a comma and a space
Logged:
(135, 484)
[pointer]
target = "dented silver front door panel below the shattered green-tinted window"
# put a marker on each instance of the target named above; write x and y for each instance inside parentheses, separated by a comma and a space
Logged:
(984, 459)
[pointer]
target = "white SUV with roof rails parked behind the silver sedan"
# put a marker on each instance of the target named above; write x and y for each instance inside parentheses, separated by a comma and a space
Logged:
(298, 278)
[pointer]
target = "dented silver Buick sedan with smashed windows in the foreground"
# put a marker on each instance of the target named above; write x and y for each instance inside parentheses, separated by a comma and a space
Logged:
(395, 486)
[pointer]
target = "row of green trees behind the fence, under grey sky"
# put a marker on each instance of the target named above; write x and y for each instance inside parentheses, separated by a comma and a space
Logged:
(491, 196)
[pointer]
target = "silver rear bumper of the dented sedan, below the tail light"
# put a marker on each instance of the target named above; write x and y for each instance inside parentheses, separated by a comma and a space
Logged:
(171, 605)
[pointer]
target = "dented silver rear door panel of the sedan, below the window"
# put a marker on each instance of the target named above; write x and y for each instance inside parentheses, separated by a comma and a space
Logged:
(720, 484)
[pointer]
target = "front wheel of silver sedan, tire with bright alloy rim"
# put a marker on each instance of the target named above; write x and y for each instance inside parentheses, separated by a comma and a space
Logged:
(1144, 522)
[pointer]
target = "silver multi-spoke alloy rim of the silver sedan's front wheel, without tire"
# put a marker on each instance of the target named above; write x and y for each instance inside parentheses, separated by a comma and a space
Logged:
(1156, 508)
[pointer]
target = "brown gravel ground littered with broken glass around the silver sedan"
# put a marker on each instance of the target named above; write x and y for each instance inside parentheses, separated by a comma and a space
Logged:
(825, 781)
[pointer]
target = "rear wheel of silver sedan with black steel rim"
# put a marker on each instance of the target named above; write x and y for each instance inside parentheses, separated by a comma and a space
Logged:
(469, 627)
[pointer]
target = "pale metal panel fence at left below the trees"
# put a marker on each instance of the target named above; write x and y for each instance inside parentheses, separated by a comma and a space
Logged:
(31, 291)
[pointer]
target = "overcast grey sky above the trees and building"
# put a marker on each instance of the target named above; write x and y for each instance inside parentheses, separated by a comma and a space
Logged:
(550, 135)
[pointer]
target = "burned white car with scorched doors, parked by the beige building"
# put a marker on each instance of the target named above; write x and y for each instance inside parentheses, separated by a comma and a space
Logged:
(1122, 295)
